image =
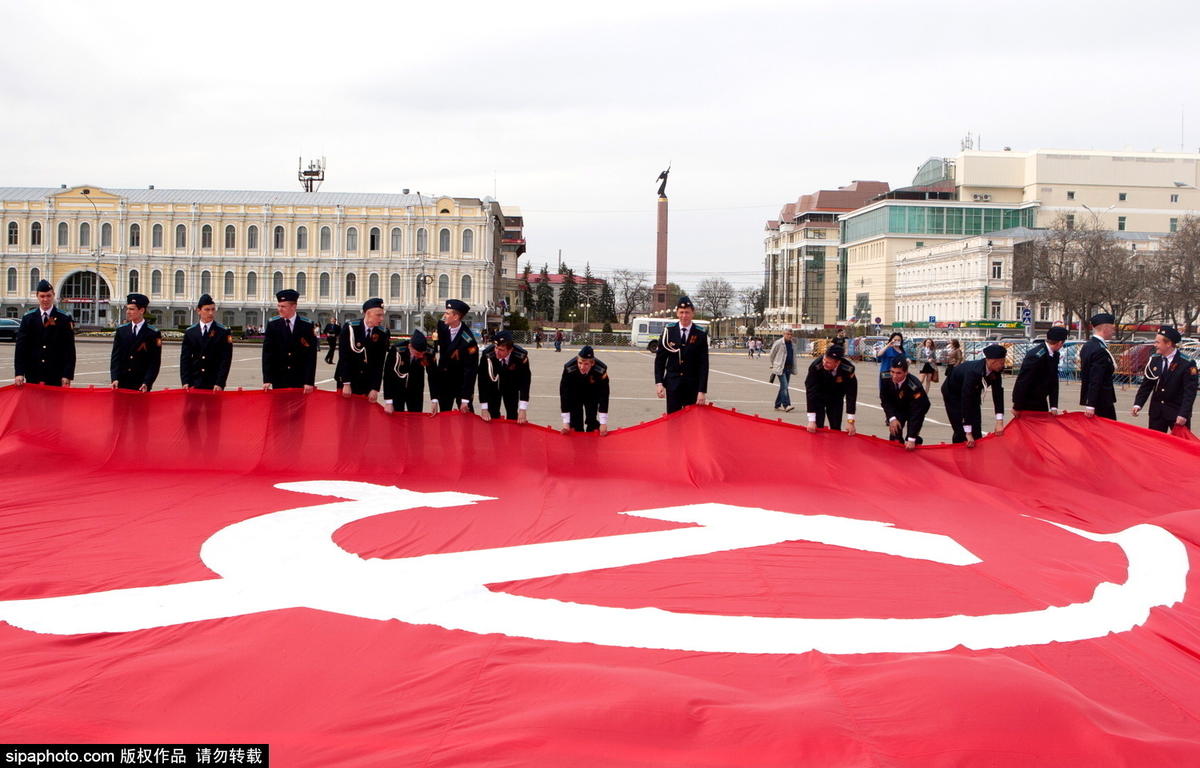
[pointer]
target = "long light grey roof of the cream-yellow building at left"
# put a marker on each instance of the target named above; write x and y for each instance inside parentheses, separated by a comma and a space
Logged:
(238, 197)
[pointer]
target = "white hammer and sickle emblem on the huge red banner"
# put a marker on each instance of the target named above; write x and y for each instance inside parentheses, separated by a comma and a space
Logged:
(289, 560)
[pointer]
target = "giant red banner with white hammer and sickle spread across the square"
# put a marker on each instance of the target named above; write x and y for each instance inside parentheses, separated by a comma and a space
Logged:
(707, 590)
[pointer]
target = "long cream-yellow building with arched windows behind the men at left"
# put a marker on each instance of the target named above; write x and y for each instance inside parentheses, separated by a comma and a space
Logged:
(173, 245)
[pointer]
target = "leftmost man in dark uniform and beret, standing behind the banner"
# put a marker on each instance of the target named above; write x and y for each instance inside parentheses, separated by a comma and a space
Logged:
(45, 350)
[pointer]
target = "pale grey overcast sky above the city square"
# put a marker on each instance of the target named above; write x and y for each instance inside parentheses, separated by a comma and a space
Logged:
(571, 111)
